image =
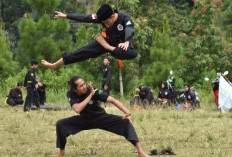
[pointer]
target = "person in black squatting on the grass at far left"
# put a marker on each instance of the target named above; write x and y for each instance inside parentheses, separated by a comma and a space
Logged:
(15, 96)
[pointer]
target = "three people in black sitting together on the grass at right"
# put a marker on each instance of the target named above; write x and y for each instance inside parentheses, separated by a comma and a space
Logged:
(166, 96)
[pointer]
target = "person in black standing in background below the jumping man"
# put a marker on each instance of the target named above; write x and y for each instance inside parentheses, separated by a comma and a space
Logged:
(107, 76)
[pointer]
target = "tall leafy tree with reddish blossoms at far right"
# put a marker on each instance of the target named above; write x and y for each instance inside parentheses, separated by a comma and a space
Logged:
(207, 47)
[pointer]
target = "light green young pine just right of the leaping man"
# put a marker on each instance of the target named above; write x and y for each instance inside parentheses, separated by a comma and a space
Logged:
(166, 53)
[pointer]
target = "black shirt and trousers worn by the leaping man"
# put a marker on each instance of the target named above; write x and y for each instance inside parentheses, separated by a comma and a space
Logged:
(121, 31)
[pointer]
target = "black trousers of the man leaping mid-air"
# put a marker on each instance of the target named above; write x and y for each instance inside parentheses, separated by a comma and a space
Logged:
(94, 50)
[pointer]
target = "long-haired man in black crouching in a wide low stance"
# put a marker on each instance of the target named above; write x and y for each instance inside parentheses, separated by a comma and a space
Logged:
(85, 101)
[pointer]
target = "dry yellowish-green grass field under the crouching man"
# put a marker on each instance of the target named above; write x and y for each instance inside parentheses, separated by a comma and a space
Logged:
(203, 132)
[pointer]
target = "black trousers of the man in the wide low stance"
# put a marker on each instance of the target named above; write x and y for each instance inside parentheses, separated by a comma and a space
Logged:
(108, 122)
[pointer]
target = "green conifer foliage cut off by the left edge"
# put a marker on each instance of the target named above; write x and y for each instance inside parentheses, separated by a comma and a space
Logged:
(7, 65)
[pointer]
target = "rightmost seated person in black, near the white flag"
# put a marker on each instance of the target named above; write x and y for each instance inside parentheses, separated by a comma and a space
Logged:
(189, 97)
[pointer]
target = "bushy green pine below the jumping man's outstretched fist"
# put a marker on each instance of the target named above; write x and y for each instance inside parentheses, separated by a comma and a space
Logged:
(45, 39)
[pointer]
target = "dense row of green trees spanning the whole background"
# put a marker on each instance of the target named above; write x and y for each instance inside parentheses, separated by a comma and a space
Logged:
(190, 37)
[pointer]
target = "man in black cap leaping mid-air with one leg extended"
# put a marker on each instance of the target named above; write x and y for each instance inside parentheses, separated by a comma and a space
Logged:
(116, 39)
